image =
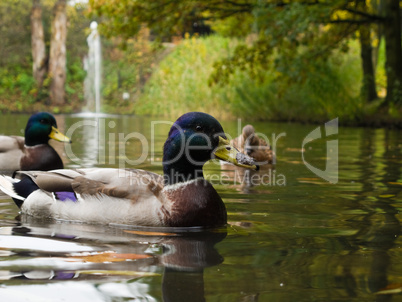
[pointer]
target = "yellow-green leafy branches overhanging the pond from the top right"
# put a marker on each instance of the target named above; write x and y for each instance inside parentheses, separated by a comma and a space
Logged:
(282, 27)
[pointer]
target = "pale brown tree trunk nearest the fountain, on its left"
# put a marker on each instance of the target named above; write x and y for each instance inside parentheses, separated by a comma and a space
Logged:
(57, 59)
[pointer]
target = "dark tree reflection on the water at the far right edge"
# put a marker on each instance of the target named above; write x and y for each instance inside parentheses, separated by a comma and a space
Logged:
(382, 227)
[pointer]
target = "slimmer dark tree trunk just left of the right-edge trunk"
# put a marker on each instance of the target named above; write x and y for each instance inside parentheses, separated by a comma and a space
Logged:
(368, 88)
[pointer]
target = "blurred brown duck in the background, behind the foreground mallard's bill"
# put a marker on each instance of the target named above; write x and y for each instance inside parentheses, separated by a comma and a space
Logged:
(254, 146)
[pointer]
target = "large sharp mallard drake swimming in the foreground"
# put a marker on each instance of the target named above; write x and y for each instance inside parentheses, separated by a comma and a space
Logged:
(181, 197)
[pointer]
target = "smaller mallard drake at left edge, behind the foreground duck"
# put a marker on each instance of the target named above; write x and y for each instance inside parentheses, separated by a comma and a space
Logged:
(32, 152)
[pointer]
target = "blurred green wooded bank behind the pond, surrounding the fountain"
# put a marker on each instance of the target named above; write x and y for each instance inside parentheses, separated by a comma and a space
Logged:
(306, 61)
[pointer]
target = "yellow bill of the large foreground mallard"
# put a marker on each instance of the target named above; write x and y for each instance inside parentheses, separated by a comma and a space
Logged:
(230, 154)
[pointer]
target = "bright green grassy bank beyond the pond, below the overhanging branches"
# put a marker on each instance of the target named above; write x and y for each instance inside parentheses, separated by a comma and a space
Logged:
(180, 84)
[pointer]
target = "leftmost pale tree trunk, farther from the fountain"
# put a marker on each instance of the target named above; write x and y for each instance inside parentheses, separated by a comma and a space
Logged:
(38, 44)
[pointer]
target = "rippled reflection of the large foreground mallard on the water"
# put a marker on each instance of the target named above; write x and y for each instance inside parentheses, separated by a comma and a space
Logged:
(123, 252)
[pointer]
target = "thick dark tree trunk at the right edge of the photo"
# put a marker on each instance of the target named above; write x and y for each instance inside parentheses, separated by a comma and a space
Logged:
(393, 51)
